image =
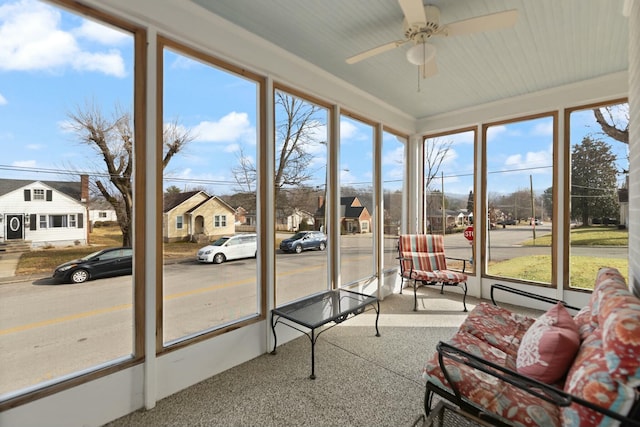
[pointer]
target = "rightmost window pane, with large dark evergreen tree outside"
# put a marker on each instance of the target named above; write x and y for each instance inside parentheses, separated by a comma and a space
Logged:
(599, 208)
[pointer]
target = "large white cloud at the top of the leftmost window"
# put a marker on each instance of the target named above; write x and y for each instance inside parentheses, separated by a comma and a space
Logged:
(31, 39)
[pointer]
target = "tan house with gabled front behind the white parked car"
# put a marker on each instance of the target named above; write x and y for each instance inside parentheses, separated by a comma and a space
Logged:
(196, 216)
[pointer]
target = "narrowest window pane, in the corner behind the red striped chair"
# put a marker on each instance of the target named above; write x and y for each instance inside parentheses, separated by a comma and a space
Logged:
(392, 185)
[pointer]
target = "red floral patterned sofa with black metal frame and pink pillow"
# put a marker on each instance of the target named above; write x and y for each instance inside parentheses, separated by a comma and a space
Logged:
(556, 370)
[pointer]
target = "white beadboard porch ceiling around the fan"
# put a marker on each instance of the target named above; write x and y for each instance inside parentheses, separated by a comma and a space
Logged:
(554, 42)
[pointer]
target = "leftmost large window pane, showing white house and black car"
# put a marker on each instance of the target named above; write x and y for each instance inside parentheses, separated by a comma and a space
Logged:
(66, 104)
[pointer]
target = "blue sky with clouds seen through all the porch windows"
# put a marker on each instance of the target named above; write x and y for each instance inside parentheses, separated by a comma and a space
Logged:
(53, 62)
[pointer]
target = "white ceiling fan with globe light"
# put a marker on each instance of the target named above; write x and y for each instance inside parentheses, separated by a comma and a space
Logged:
(423, 22)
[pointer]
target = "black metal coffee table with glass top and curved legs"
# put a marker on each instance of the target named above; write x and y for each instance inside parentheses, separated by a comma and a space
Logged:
(320, 309)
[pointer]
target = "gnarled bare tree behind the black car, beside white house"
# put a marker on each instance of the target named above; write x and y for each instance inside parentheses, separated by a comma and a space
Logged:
(113, 140)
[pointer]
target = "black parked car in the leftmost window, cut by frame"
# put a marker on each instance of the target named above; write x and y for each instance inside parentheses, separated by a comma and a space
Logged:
(107, 262)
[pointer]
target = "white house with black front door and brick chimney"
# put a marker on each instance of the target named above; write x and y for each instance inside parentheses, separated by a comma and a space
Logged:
(44, 213)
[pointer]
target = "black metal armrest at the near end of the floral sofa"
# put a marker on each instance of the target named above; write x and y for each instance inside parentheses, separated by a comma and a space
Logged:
(541, 390)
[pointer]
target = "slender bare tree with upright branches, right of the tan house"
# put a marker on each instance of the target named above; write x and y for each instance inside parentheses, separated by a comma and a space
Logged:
(296, 129)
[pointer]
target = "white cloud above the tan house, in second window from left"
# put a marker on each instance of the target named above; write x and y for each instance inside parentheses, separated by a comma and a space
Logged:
(231, 128)
